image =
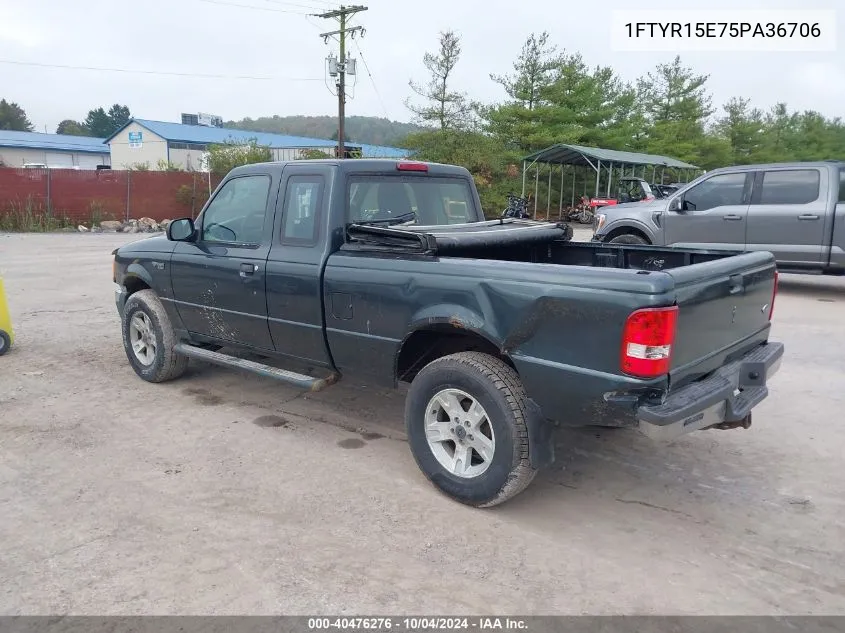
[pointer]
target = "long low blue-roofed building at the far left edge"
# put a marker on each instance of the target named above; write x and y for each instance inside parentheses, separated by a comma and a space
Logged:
(35, 149)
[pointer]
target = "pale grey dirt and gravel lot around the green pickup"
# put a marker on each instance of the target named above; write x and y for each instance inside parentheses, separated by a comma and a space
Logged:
(226, 493)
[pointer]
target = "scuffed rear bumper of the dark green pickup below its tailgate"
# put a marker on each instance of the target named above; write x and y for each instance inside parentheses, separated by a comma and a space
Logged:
(728, 395)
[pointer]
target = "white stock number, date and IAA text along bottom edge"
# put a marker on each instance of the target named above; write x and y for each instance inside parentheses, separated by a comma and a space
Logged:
(416, 623)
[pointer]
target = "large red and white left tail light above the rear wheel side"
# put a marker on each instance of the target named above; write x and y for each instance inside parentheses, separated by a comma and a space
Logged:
(647, 342)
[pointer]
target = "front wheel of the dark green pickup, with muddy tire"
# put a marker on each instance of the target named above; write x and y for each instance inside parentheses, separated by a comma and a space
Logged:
(148, 339)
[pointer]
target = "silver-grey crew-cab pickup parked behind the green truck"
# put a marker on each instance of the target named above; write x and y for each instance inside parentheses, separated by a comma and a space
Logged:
(794, 210)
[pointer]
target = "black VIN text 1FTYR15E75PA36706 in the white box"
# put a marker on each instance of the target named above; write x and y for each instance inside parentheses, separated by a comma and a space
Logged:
(723, 29)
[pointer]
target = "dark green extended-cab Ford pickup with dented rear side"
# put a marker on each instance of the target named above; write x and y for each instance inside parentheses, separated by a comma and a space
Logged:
(387, 271)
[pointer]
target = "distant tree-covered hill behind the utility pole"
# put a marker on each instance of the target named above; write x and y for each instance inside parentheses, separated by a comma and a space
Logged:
(361, 129)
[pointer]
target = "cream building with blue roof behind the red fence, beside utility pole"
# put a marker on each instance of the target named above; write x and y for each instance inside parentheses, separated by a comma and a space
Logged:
(156, 143)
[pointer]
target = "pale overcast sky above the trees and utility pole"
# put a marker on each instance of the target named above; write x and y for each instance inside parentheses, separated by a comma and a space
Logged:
(201, 37)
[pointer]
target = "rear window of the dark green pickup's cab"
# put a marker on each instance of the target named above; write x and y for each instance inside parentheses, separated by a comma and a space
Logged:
(411, 200)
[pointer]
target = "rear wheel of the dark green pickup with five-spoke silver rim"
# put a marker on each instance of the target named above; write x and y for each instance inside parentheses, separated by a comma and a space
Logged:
(465, 417)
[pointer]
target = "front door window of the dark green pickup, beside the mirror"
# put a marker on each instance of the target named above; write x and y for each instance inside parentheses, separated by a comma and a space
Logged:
(236, 214)
